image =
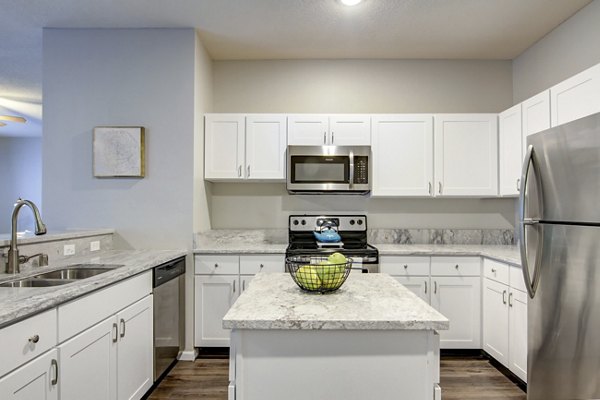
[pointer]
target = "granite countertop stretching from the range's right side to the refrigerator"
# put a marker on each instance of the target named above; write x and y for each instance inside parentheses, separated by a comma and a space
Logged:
(507, 254)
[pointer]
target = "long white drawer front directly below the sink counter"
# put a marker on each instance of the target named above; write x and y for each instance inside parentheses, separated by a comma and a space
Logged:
(78, 315)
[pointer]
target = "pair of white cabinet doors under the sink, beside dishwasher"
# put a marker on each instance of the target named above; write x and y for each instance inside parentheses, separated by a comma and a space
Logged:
(111, 360)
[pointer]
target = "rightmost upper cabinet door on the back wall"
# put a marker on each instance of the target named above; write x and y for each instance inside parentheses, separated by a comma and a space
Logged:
(466, 154)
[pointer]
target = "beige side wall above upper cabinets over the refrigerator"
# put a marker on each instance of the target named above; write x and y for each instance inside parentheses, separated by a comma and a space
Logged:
(569, 49)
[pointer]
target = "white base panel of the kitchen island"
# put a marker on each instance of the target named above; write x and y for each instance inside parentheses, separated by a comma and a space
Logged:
(334, 364)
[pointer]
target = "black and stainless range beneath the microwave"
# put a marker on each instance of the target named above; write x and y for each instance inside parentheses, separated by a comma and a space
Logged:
(352, 230)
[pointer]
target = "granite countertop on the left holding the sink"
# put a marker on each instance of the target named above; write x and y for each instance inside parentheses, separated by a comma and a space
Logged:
(19, 303)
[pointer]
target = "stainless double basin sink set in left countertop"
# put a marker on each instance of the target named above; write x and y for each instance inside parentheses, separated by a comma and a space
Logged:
(62, 276)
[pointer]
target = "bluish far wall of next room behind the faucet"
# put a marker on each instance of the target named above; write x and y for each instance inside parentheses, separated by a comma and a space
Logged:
(20, 176)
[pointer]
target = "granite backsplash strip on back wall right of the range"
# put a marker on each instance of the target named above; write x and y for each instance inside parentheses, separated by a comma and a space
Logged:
(442, 236)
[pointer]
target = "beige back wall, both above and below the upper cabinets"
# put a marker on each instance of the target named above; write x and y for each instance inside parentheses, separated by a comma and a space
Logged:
(355, 86)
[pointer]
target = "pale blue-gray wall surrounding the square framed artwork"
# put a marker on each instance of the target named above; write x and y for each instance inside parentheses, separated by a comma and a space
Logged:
(134, 77)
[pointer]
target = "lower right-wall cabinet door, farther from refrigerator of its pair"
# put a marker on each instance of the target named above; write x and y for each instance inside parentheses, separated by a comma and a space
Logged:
(495, 320)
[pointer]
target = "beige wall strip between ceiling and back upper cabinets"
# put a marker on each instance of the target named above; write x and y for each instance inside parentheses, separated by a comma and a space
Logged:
(355, 86)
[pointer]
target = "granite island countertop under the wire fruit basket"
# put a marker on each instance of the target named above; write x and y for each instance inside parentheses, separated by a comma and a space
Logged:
(364, 302)
